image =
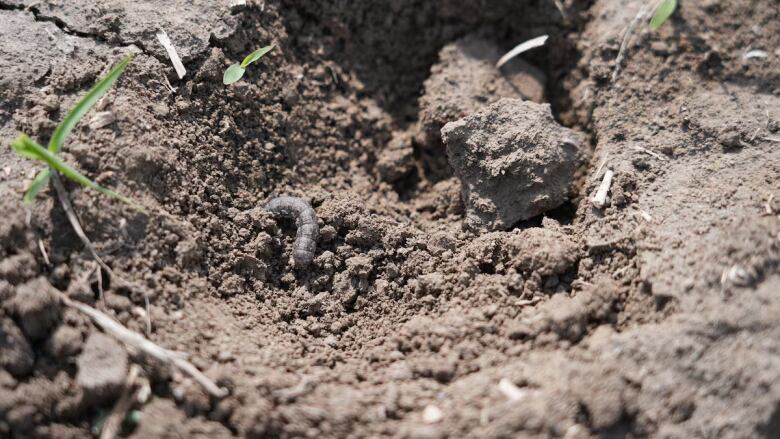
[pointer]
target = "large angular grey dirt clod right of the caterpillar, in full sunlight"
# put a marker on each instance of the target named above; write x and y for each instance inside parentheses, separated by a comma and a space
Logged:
(514, 161)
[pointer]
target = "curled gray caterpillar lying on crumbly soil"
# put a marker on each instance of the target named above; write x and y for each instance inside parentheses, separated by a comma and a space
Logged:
(305, 220)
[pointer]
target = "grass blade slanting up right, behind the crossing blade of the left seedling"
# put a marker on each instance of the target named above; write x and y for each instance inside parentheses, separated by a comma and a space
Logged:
(70, 121)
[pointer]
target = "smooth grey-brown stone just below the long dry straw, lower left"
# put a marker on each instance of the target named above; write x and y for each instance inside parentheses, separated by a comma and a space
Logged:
(102, 368)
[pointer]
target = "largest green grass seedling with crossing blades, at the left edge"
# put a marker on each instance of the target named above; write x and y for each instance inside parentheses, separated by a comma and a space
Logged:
(28, 148)
